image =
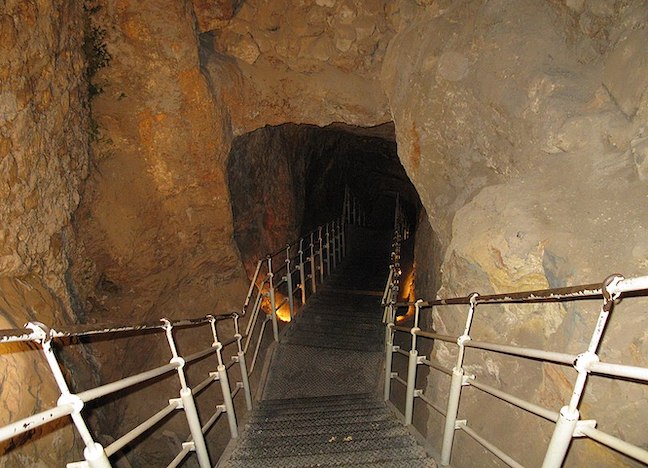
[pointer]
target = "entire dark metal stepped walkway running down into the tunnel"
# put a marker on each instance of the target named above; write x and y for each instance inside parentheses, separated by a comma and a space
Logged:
(320, 404)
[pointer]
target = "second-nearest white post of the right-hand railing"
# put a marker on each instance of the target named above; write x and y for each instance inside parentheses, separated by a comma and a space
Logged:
(455, 387)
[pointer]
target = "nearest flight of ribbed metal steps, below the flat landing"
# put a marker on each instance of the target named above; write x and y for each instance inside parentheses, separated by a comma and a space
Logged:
(351, 431)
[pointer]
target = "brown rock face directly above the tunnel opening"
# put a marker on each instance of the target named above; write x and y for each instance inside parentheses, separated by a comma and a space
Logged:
(301, 62)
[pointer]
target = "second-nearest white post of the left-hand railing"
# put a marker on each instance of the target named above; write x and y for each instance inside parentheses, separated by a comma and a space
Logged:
(188, 403)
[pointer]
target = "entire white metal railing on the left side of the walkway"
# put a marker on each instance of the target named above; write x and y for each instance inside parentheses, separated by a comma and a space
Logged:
(313, 257)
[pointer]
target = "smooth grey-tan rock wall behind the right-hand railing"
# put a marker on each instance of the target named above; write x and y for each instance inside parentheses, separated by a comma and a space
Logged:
(522, 126)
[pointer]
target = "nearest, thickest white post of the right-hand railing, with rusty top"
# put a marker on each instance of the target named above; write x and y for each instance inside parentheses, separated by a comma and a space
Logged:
(569, 414)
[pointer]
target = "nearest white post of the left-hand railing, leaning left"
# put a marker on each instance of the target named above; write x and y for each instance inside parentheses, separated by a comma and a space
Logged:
(93, 452)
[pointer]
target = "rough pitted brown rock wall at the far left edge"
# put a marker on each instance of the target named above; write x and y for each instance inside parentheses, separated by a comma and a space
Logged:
(43, 160)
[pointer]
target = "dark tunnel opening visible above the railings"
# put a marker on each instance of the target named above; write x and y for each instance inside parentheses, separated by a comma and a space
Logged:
(287, 180)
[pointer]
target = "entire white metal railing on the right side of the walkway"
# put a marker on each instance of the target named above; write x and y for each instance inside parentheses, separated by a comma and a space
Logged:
(568, 424)
